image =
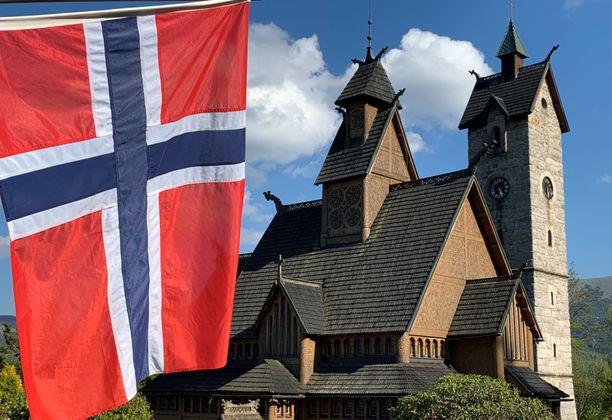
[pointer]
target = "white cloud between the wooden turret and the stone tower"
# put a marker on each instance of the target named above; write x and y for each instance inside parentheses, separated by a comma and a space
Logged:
(434, 71)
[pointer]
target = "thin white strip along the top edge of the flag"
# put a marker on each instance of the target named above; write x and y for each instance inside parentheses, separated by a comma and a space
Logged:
(61, 19)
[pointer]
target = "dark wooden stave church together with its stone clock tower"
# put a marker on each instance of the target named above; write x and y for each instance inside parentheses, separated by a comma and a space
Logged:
(391, 281)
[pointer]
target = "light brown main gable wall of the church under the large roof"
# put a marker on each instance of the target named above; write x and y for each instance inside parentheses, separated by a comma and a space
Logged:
(471, 251)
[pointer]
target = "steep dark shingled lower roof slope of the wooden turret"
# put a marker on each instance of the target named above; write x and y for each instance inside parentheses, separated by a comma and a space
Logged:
(347, 161)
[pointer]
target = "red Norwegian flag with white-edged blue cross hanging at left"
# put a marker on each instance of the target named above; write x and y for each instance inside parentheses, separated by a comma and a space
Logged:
(122, 176)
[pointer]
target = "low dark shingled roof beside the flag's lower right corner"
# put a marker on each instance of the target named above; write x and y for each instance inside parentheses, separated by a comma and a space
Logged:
(267, 378)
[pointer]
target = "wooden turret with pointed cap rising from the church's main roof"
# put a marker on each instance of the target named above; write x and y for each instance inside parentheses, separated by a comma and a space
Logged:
(369, 153)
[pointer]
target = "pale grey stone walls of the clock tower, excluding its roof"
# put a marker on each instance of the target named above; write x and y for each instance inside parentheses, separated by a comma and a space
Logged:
(525, 217)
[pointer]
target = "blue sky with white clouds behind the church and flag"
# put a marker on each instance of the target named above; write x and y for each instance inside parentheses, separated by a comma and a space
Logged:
(300, 59)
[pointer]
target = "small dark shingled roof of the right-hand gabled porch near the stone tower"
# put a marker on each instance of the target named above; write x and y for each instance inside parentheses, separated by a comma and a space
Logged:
(483, 307)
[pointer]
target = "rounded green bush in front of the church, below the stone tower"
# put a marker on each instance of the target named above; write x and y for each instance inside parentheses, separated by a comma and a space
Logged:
(467, 397)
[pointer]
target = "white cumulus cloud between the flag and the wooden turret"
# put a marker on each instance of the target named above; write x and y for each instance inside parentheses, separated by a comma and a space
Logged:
(290, 96)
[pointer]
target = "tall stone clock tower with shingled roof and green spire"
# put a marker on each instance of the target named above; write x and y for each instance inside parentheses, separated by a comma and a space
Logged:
(522, 175)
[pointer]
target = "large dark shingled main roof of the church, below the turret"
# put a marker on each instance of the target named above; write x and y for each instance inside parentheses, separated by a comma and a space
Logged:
(405, 241)
